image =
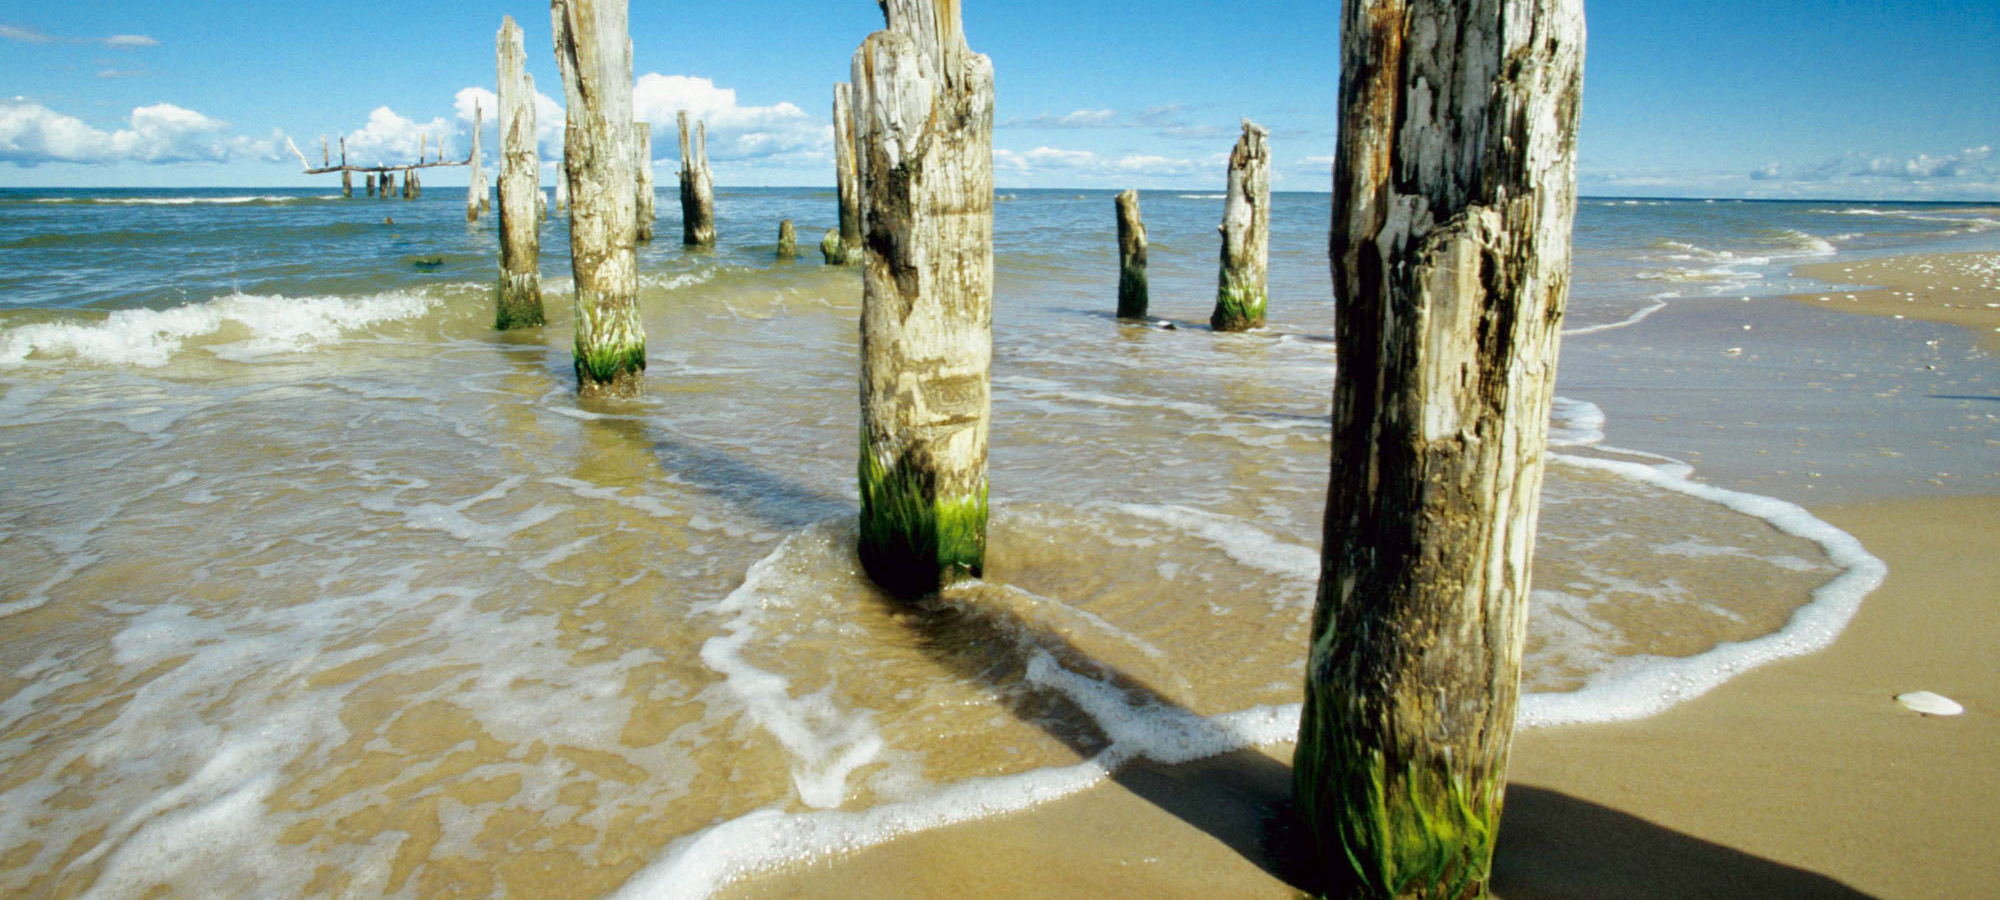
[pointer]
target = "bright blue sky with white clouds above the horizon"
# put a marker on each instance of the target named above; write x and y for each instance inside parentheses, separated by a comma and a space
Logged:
(1873, 101)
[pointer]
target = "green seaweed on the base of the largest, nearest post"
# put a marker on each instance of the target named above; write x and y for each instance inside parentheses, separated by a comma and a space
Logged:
(1419, 835)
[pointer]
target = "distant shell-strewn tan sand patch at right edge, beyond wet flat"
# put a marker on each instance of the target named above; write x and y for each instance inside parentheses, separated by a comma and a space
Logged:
(1953, 289)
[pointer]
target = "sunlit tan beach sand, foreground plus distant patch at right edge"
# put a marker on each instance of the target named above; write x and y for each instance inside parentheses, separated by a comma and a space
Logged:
(1801, 779)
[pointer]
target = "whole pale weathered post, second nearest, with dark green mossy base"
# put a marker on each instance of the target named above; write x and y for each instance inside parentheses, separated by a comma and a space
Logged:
(923, 137)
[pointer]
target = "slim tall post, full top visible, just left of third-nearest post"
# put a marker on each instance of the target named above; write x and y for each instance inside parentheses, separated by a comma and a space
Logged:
(519, 297)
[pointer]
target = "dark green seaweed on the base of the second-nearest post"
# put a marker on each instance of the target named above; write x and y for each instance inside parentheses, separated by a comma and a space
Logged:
(915, 543)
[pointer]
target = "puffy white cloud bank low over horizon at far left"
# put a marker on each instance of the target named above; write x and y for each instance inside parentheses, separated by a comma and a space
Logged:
(33, 135)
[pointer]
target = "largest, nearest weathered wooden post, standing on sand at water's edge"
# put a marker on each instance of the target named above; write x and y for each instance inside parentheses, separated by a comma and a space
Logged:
(1455, 185)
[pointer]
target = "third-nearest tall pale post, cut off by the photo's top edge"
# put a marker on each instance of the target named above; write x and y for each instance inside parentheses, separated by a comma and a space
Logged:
(597, 79)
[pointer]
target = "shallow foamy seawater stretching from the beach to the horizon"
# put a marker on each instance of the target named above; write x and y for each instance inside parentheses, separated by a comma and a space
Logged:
(311, 585)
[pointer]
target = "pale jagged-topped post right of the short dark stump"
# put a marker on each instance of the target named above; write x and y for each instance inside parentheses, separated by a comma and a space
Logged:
(1245, 235)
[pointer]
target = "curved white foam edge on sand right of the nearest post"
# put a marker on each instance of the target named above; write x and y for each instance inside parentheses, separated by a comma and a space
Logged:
(1663, 683)
